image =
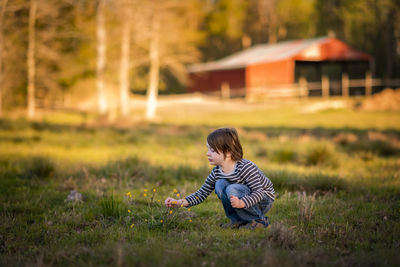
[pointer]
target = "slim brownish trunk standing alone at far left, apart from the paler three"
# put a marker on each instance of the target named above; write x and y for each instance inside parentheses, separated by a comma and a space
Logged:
(31, 59)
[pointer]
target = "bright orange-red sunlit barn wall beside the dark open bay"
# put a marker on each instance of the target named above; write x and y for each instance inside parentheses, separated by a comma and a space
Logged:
(270, 74)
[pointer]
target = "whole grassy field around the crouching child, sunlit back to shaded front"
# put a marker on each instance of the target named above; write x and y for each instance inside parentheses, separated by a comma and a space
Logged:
(336, 173)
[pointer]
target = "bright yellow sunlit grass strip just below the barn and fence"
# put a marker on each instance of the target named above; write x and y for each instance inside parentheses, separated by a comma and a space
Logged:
(291, 116)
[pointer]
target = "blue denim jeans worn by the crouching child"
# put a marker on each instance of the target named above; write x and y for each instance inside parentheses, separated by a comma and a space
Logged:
(224, 190)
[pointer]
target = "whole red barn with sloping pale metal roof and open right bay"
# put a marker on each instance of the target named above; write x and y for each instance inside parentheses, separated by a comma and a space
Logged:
(269, 65)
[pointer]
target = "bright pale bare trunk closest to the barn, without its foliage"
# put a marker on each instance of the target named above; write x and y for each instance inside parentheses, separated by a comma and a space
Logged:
(152, 90)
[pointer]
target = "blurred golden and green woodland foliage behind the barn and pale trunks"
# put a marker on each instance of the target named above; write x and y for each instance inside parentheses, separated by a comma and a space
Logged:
(192, 31)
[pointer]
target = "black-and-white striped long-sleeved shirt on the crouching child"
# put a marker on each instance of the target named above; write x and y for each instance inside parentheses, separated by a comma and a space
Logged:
(247, 173)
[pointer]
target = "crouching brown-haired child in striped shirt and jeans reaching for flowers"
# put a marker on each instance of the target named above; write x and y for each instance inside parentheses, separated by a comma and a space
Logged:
(246, 193)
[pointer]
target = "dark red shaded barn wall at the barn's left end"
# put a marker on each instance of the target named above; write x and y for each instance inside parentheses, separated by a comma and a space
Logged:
(212, 80)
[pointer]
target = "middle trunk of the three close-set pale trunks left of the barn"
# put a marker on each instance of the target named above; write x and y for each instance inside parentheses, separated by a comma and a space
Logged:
(124, 63)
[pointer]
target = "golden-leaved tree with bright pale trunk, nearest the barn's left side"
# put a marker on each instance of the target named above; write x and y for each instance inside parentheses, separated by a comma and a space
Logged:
(171, 42)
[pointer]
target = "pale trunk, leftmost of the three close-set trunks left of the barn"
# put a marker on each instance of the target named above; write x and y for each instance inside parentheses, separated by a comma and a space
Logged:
(101, 58)
